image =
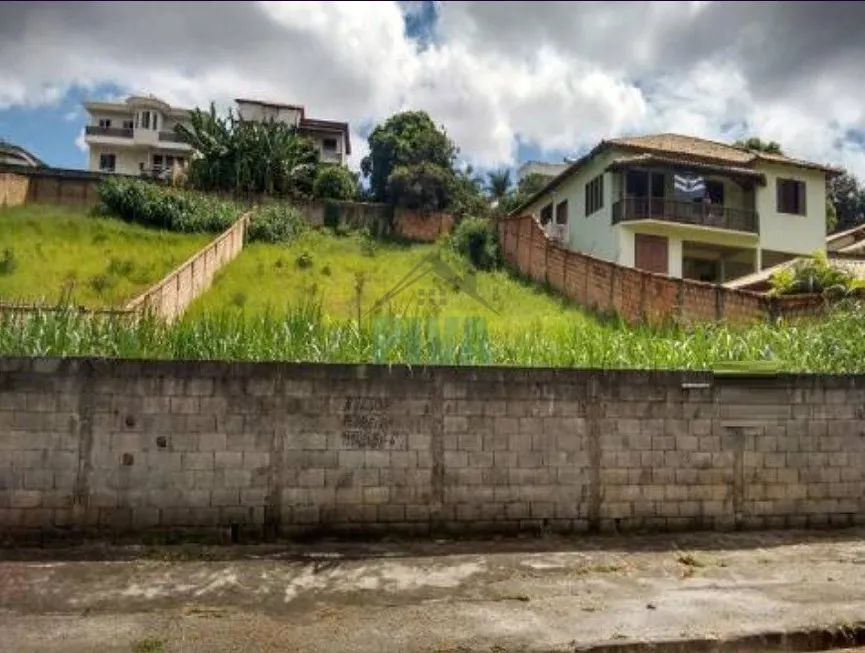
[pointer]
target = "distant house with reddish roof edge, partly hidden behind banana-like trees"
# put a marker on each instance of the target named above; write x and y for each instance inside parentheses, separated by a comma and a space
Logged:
(329, 137)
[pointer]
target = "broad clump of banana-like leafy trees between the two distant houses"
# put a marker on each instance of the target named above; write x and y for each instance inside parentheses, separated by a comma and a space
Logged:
(240, 156)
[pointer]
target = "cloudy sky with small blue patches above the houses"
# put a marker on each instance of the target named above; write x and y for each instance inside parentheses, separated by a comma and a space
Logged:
(510, 81)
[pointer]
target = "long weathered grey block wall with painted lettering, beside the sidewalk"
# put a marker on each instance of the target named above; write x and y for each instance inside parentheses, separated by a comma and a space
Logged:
(117, 446)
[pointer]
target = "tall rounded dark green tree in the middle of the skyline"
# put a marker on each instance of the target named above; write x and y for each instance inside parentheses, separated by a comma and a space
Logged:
(411, 162)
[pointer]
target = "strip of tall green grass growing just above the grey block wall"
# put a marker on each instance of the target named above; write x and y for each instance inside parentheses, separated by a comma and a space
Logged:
(305, 333)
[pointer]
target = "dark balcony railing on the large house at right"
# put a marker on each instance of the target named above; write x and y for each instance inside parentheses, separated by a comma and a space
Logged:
(704, 215)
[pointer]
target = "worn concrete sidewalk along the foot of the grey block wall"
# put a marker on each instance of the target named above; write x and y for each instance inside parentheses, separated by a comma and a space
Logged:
(518, 595)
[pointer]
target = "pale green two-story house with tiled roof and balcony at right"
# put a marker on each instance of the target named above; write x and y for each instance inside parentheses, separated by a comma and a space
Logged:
(686, 207)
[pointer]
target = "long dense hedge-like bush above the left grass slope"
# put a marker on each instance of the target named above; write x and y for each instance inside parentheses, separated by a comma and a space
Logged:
(164, 207)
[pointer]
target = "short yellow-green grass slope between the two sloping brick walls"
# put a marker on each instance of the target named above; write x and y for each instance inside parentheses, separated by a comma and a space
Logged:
(351, 274)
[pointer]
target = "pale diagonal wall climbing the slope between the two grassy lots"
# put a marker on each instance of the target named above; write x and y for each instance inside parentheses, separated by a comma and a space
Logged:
(170, 297)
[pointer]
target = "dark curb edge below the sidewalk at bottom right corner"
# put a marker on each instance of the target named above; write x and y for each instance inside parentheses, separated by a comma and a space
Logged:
(806, 640)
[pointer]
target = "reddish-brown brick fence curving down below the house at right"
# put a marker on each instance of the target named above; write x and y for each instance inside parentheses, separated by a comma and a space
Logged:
(634, 294)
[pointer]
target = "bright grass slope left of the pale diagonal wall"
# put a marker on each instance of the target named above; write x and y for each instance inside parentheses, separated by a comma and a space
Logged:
(48, 251)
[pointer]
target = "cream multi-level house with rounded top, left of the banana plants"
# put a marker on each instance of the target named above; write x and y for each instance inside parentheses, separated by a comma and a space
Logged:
(136, 136)
